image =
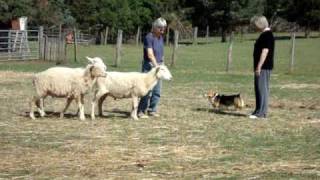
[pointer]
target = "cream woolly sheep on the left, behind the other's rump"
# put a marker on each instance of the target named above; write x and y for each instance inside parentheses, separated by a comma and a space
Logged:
(69, 83)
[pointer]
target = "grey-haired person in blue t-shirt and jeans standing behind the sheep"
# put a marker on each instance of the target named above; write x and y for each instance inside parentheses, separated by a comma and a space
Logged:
(152, 56)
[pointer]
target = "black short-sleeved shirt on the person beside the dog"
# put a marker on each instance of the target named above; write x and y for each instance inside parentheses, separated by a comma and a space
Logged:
(265, 40)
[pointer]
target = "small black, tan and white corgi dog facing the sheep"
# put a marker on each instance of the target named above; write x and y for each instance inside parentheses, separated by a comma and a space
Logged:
(217, 100)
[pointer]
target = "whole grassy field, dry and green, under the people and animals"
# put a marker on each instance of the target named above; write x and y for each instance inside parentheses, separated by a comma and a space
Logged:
(189, 140)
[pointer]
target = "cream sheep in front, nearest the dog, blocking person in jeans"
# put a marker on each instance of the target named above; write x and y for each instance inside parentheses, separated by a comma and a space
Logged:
(127, 85)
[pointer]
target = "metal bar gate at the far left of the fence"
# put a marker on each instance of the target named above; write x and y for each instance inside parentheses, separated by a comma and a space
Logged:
(19, 45)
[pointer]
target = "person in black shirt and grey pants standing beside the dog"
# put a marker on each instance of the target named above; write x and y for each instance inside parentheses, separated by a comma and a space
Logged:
(263, 65)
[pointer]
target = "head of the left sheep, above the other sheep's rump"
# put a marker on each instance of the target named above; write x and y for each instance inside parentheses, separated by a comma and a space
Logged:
(97, 67)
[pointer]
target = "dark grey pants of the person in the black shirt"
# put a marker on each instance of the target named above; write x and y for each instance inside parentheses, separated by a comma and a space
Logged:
(261, 88)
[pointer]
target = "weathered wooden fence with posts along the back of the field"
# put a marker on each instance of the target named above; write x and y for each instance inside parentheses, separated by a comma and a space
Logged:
(51, 45)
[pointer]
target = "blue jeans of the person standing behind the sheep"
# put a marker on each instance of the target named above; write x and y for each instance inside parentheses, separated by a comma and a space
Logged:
(153, 95)
